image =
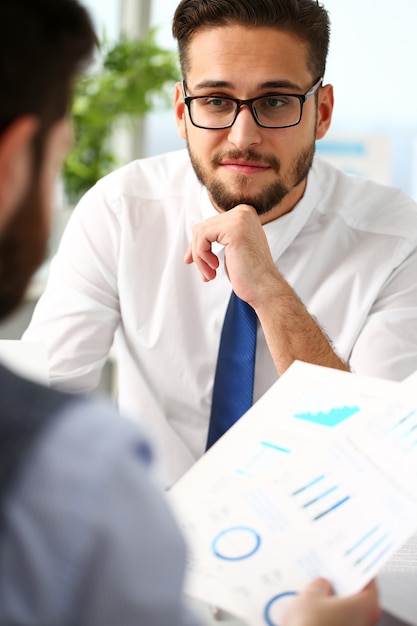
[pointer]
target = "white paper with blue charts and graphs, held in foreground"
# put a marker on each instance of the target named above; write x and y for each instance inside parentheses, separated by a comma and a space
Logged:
(318, 478)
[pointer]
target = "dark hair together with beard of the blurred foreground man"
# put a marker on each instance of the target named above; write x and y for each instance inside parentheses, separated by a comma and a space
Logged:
(43, 46)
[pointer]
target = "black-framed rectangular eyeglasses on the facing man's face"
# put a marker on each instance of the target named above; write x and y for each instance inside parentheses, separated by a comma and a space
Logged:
(271, 111)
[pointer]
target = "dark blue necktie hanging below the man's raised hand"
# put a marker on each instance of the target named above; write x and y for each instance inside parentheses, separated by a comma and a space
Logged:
(233, 383)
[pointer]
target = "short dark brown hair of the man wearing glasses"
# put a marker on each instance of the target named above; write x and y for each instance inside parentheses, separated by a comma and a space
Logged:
(305, 19)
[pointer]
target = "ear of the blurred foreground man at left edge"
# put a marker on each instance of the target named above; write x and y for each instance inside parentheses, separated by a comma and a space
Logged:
(15, 163)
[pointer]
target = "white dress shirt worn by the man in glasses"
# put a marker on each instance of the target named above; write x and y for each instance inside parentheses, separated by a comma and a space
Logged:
(348, 248)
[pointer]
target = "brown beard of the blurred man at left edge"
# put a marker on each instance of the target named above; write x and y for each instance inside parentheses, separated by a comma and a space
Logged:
(22, 249)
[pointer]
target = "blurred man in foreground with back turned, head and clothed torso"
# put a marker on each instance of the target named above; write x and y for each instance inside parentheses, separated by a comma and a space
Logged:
(86, 539)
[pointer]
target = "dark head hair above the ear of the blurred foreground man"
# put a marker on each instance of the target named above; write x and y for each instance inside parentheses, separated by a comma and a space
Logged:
(43, 44)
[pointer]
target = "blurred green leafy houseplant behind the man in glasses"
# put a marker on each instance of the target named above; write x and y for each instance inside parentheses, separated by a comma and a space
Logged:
(134, 77)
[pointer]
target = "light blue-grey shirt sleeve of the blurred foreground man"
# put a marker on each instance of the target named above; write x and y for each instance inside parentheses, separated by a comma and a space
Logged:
(88, 538)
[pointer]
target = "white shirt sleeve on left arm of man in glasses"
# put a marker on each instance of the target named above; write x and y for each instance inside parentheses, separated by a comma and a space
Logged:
(81, 295)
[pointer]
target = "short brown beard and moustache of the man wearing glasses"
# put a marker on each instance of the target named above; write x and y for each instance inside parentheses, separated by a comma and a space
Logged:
(267, 198)
